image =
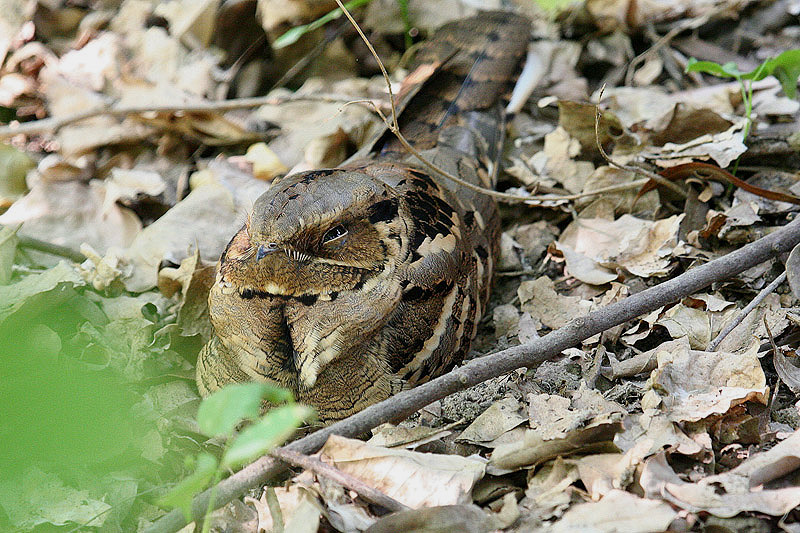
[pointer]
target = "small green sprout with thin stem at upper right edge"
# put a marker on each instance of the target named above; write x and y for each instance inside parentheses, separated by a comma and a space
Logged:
(785, 67)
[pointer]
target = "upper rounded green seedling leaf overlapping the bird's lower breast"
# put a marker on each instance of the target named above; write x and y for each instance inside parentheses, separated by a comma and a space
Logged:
(223, 410)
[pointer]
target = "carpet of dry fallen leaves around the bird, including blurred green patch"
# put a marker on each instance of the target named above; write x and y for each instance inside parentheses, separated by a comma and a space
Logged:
(641, 428)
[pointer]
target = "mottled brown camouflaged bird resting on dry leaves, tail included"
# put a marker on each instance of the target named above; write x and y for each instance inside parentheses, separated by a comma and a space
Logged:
(349, 284)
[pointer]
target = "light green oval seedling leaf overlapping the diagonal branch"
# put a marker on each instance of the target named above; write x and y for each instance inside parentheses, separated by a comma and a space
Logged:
(268, 433)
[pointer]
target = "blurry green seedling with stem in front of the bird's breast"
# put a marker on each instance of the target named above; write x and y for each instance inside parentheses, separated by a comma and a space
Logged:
(218, 416)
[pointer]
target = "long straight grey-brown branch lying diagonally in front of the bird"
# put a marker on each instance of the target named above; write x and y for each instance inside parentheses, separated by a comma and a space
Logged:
(484, 368)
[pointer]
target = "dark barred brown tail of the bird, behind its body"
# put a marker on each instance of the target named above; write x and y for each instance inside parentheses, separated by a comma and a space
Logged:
(459, 83)
